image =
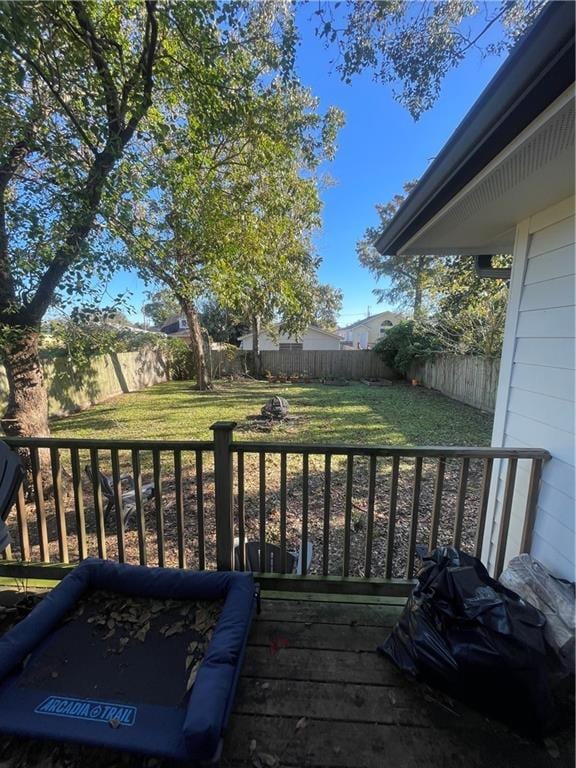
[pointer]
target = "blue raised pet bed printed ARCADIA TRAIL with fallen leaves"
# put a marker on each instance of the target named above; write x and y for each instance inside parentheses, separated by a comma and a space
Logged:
(56, 682)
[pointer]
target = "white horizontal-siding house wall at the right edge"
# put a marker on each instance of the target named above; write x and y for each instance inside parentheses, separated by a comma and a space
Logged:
(535, 399)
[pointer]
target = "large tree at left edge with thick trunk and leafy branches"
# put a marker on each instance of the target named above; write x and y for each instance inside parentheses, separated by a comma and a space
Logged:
(76, 80)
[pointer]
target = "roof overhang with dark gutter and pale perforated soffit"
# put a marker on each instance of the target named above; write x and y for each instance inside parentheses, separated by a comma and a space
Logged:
(512, 155)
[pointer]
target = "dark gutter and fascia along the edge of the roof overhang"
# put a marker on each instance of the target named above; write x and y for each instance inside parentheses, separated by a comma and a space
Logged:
(537, 72)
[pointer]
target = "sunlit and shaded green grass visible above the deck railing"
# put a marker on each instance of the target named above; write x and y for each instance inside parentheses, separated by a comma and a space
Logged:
(395, 415)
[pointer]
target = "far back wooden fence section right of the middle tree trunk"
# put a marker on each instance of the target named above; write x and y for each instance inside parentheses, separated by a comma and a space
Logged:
(318, 364)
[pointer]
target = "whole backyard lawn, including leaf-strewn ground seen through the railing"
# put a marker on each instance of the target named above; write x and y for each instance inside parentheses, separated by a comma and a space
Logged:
(393, 415)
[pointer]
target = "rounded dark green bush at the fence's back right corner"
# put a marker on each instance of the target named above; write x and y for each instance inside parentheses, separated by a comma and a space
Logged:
(407, 343)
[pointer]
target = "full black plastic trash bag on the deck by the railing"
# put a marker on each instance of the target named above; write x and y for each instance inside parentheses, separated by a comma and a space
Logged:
(468, 635)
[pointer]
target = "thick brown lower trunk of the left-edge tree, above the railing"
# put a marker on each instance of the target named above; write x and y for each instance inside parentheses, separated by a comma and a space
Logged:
(27, 412)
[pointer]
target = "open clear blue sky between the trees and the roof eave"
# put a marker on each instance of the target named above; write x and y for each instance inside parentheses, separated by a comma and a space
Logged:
(379, 149)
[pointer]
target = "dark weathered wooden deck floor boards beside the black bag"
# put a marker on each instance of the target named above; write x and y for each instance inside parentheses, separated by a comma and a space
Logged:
(315, 693)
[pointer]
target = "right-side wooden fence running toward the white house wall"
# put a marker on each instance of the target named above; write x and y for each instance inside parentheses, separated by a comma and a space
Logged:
(471, 380)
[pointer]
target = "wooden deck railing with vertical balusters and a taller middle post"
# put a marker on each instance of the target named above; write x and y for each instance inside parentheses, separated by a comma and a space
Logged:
(364, 508)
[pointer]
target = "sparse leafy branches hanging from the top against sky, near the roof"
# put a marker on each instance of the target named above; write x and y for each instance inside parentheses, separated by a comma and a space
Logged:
(412, 46)
